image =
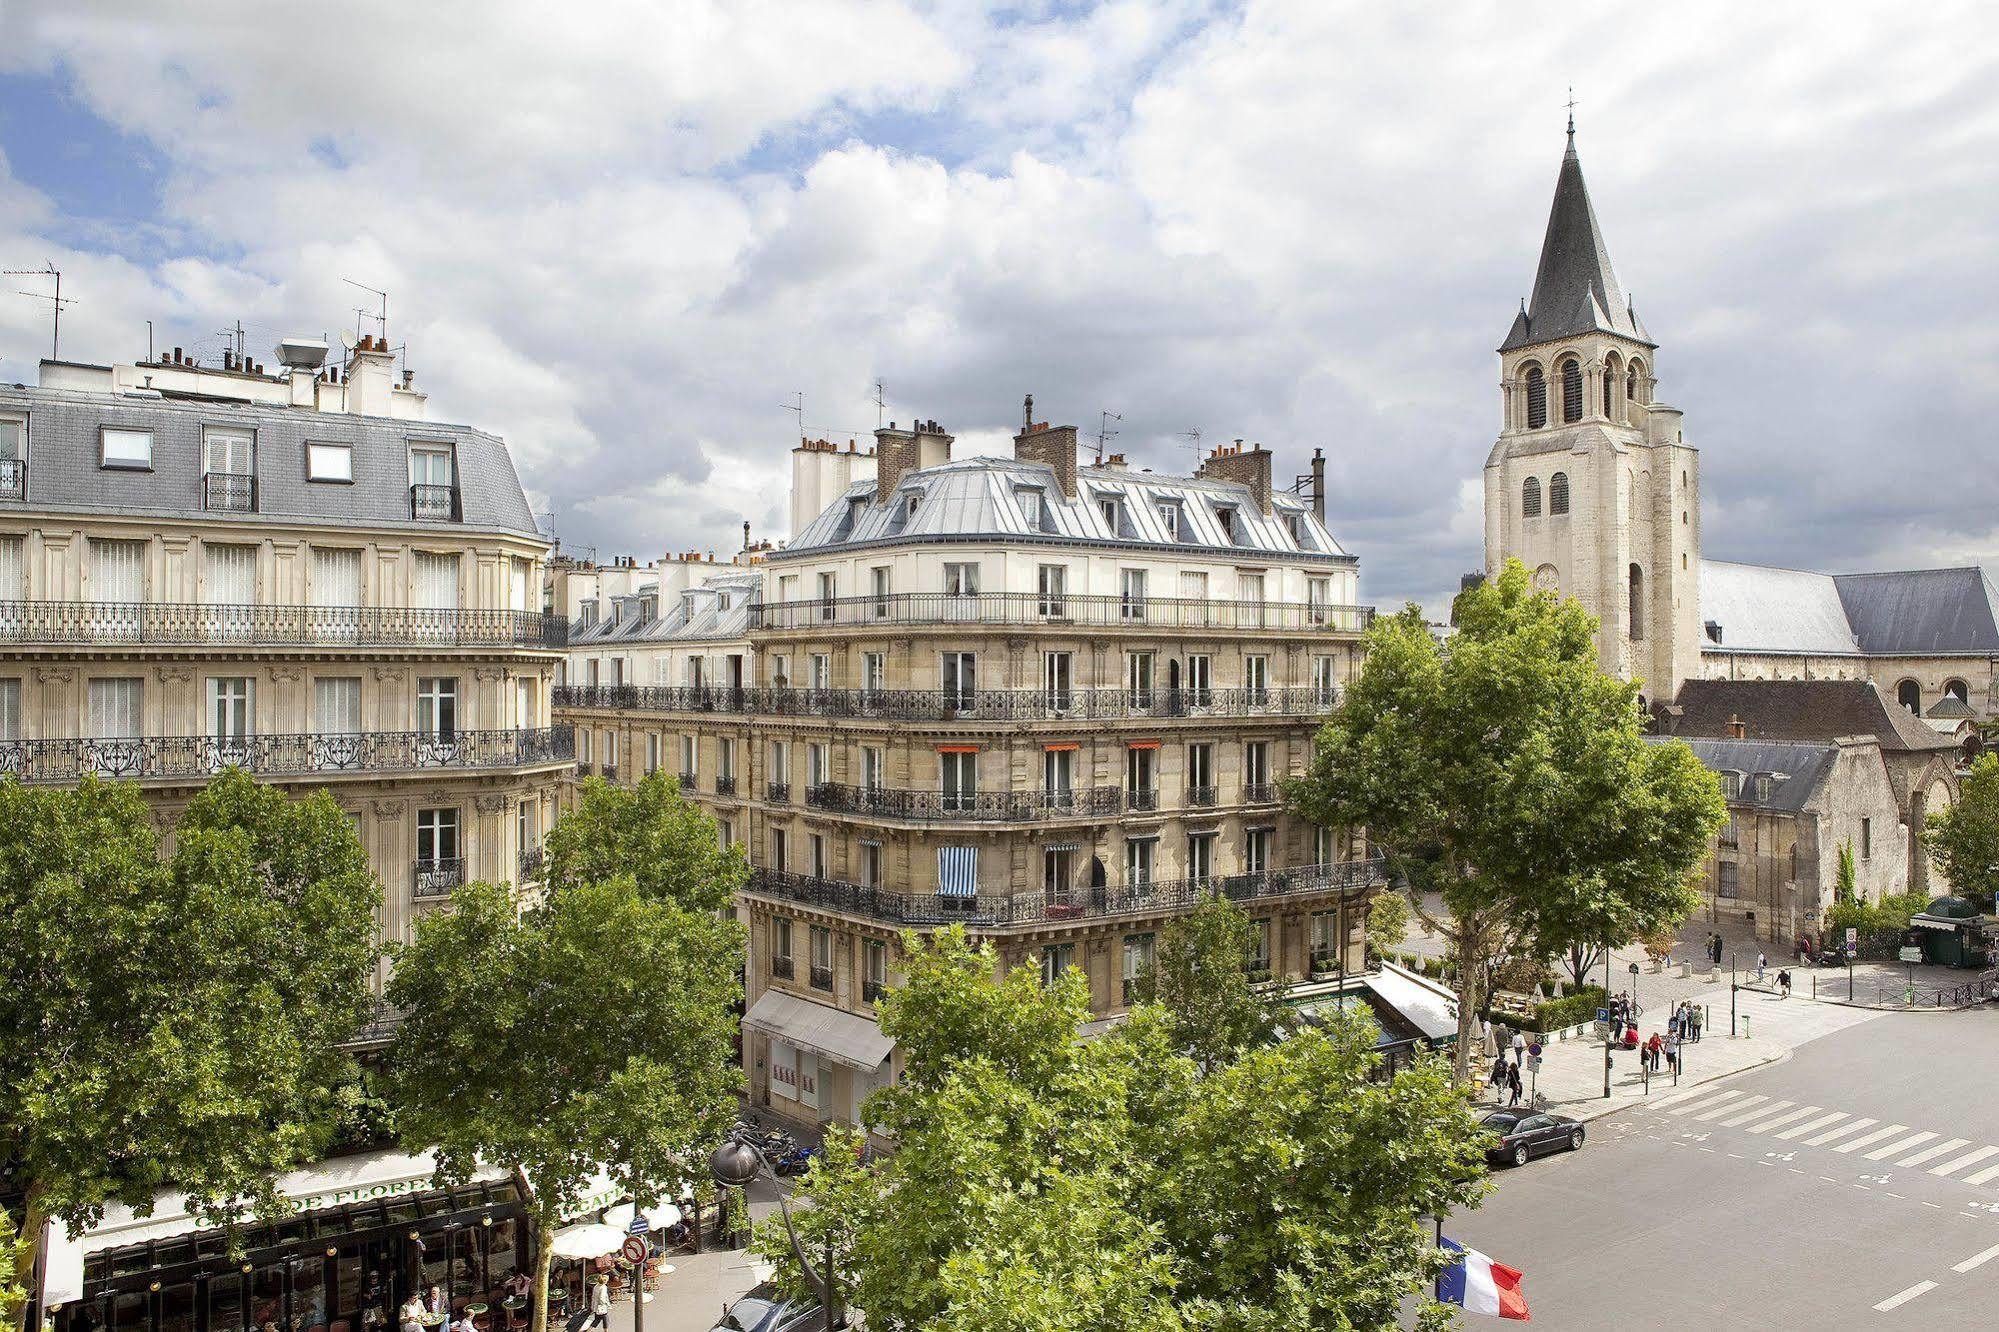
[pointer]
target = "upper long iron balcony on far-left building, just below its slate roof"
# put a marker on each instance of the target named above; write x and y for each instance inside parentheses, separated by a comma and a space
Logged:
(181, 625)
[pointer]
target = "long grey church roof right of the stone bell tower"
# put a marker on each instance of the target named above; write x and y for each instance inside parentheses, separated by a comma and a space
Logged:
(1784, 611)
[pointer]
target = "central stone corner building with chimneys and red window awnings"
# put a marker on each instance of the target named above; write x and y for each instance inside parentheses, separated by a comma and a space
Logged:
(1034, 697)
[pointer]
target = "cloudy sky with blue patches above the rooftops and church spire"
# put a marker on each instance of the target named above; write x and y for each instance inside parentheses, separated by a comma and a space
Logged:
(625, 235)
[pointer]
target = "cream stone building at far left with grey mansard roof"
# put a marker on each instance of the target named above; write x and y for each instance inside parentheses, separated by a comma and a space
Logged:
(293, 573)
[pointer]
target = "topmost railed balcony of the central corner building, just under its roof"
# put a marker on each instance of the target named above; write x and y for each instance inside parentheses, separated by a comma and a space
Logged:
(1030, 609)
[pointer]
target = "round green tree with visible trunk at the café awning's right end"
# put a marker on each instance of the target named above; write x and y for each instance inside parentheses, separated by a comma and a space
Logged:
(591, 1033)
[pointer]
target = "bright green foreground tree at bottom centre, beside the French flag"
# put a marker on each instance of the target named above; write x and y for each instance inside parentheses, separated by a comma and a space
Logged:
(1046, 1183)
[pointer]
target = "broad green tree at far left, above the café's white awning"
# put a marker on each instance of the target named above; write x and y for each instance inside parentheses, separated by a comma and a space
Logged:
(173, 1023)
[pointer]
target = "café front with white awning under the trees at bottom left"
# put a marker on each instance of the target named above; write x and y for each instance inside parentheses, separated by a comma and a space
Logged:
(355, 1241)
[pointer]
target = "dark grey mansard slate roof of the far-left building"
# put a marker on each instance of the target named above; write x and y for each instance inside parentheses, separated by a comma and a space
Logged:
(65, 473)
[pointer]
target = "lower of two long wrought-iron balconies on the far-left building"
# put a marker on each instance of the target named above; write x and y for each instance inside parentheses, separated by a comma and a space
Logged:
(291, 755)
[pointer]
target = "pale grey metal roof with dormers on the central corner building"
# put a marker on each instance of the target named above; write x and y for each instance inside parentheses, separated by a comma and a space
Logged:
(973, 499)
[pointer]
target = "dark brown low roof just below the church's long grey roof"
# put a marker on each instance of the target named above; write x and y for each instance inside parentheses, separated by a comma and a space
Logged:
(1814, 711)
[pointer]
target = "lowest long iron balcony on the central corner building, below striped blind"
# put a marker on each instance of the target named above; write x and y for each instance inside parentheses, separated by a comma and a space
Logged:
(1024, 909)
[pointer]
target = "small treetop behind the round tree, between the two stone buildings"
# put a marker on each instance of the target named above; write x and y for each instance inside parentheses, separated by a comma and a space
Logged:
(649, 833)
